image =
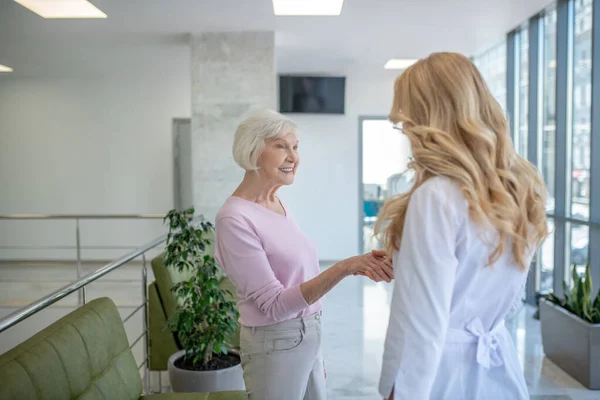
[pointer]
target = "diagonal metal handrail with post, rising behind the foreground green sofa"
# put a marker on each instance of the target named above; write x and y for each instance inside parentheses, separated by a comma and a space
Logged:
(26, 312)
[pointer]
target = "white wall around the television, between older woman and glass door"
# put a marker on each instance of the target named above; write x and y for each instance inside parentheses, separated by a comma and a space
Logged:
(324, 197)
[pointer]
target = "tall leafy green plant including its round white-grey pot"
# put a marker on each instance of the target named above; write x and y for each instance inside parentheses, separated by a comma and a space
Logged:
(204, 318)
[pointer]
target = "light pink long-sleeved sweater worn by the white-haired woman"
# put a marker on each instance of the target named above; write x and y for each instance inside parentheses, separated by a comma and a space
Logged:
(267, 257)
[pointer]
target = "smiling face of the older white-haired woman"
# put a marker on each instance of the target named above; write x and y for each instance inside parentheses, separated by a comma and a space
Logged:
(279, 159)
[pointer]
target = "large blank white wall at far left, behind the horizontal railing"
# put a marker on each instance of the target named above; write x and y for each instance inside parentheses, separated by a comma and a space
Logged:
(88, 145)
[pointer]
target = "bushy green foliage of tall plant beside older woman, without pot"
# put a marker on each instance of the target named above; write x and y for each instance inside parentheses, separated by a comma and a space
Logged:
(204, 317)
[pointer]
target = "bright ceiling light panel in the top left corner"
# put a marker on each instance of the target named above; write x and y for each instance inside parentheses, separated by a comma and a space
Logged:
(63, 8)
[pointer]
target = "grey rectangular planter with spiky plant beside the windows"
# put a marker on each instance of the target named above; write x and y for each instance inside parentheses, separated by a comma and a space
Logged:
(571, 330)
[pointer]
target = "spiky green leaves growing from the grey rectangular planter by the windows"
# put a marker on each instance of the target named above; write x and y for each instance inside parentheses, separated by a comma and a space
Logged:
(578, 300)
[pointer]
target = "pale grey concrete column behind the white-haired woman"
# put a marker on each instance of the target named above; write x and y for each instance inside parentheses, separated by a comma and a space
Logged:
(232, 73)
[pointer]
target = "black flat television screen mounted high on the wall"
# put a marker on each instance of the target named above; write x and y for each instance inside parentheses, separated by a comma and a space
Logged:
(309, 94)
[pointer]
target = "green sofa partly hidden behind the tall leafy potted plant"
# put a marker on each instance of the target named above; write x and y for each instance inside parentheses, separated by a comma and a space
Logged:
(162, 306)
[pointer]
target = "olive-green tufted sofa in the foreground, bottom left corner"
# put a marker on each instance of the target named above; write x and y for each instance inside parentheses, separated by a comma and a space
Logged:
(84, 355)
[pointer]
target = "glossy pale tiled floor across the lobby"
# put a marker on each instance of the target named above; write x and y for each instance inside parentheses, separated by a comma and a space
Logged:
(355, 321)
